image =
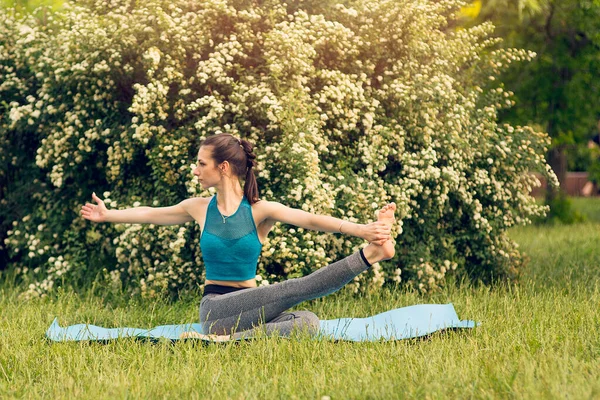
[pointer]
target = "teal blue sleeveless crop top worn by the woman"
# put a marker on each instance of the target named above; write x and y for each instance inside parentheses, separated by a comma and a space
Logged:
(230, 250)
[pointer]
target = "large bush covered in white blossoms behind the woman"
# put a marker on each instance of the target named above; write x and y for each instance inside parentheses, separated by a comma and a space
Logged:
(350, 106)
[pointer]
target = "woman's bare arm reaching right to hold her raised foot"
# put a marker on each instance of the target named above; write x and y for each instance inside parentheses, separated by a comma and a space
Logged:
(375, 232)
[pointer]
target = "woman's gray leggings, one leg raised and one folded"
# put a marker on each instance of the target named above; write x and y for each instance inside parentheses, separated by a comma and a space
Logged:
(244, 312)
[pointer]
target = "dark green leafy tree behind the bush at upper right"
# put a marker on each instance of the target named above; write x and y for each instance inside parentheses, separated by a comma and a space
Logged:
(560, 88)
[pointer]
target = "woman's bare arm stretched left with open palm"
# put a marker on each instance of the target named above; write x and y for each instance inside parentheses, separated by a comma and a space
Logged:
(173, 215)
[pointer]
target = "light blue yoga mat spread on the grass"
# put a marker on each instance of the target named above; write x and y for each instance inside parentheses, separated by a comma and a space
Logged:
(401, 323)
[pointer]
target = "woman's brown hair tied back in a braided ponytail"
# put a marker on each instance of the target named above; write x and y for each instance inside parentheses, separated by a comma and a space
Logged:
(238, 152)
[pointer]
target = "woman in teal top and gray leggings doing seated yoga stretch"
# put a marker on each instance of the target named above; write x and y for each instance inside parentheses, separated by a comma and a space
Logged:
(235, 224)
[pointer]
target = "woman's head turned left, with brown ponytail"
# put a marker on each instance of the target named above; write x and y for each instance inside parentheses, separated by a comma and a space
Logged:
(224, 156)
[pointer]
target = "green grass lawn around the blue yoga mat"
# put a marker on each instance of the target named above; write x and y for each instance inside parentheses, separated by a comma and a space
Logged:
(540, 339)
